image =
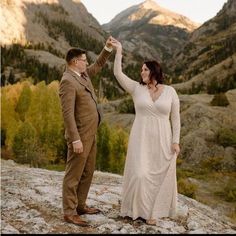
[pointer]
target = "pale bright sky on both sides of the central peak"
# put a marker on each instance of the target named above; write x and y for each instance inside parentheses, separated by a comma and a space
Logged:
(198, 11)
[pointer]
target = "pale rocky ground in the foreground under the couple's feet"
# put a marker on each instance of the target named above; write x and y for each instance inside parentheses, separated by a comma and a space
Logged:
(31, 203)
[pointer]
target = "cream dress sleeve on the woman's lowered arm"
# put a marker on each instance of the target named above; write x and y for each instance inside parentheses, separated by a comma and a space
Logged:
(175, 117)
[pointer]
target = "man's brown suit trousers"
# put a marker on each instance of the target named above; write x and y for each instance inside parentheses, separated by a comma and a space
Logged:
(78, 176)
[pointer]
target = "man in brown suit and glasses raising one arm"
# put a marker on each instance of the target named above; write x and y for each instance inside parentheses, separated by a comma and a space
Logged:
(81, 120)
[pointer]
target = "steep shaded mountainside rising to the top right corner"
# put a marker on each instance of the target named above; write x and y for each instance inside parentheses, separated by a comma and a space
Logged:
(210, 44)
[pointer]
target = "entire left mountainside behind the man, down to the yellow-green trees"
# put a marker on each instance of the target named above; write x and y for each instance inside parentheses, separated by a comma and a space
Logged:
(35, 35)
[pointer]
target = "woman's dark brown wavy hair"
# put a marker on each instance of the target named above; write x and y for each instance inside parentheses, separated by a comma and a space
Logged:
(155, 72)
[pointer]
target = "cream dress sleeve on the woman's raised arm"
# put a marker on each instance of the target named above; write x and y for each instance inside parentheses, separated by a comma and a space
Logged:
(125, 82)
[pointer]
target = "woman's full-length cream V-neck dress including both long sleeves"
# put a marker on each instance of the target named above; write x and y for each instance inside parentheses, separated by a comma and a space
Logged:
(149, 183)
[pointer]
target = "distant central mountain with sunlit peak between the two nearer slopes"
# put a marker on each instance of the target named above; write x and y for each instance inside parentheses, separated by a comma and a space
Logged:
(148, 30)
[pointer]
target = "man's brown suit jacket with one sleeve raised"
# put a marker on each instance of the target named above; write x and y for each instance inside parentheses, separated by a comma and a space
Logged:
(79, 102)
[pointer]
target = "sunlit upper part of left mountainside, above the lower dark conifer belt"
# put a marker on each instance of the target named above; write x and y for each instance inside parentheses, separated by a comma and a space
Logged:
(48, 22)
